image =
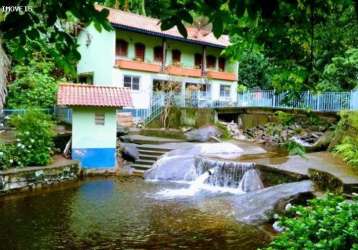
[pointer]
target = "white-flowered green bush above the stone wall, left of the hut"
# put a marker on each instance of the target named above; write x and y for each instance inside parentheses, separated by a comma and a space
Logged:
(34, 141)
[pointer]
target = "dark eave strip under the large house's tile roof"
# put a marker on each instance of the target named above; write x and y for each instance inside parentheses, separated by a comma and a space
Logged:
(124, 27)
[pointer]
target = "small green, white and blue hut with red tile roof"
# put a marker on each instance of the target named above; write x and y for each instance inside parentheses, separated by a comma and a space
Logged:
(94, 122)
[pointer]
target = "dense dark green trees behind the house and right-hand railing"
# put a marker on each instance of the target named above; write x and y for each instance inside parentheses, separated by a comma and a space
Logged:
(298, 39)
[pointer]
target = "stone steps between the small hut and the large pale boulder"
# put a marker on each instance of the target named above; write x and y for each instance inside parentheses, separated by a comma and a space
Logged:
(148, 154)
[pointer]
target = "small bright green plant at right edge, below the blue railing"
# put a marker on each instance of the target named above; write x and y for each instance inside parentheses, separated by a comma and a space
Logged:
(348, 150)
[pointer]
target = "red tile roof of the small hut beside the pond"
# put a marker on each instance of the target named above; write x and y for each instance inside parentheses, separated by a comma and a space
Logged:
(70, 94)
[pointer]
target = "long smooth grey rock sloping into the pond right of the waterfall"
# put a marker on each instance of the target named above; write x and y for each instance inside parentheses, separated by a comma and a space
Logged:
(259, 206)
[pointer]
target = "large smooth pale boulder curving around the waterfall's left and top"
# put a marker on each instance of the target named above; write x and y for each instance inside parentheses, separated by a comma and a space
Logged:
(179, 164)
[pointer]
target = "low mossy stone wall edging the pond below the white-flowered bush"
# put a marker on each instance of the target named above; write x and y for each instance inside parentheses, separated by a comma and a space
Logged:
(24, 179)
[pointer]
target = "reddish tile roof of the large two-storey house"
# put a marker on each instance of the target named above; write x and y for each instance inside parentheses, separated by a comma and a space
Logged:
(152, 25)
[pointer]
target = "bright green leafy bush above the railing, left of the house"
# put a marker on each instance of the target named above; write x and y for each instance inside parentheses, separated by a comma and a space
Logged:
(34, 86)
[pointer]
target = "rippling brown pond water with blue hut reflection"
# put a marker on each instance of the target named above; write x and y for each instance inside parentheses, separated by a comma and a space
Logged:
(119, 214)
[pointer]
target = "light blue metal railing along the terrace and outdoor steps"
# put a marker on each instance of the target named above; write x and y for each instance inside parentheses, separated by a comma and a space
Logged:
(322, 102)
